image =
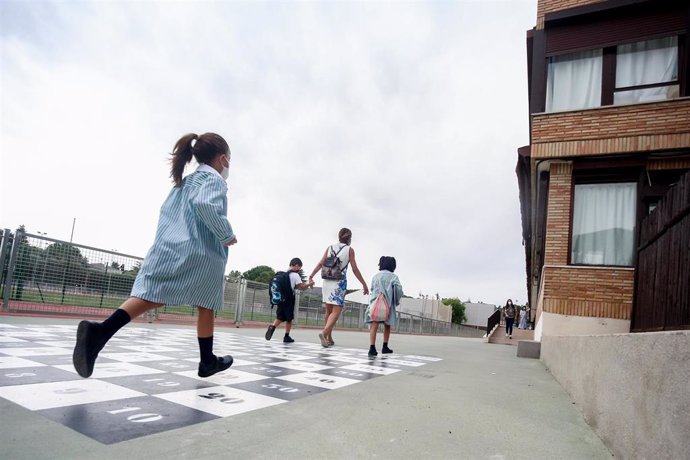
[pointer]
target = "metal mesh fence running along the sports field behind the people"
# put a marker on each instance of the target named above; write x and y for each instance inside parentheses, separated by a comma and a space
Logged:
(42, 275)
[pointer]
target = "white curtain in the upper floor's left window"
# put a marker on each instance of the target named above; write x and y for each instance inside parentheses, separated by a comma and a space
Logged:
(574, 81)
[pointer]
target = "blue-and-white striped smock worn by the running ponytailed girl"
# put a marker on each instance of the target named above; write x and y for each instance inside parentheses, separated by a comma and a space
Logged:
(186, 264)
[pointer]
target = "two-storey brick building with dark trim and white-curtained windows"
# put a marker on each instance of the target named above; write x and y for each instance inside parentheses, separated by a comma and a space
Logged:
(609, 103)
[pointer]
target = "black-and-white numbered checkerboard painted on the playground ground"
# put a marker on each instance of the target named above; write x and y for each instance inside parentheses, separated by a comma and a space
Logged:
(146, 382)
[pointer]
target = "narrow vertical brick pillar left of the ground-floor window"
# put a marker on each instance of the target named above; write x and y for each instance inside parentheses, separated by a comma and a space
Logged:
(558, 214)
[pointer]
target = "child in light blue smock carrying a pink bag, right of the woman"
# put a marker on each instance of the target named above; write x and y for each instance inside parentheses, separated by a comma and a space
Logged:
(385, 282)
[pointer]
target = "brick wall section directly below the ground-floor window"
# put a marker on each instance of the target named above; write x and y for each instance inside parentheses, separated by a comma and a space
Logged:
(589, 291)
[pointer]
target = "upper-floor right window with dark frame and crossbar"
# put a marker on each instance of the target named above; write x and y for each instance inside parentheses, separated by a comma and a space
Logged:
(646, 71)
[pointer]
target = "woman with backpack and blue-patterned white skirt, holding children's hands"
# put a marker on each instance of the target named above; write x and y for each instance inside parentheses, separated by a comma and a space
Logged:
(333, 266)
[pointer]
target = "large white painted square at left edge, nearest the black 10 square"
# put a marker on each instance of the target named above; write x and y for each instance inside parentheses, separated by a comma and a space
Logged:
(40, 396)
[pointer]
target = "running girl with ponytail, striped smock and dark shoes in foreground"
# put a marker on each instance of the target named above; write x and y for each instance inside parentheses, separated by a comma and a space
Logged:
(186, 263)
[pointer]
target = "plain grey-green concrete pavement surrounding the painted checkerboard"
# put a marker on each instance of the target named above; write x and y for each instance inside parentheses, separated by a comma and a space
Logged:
(480, 402)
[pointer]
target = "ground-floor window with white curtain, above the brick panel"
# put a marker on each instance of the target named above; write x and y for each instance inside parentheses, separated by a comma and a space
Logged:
(604, 224)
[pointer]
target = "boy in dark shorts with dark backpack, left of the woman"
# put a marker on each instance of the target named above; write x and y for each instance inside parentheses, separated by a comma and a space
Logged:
(284, 296)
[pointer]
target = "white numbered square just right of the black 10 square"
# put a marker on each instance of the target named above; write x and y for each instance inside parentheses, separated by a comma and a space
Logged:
(221, 401)
